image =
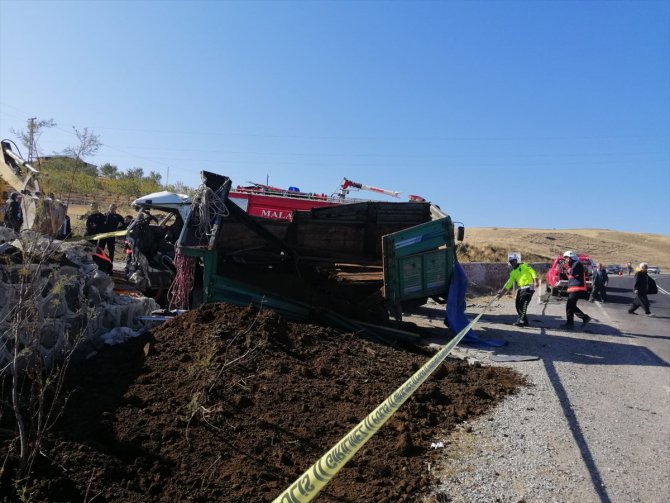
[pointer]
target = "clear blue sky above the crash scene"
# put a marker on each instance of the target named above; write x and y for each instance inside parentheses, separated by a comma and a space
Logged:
(544, 114)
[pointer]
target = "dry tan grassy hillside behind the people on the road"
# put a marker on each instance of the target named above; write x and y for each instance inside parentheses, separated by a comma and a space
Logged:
(491, 244)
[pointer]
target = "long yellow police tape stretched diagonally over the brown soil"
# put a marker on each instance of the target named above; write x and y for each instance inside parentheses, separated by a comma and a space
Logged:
(308, 485)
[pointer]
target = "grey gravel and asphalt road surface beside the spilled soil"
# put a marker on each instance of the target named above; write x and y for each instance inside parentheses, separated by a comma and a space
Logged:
(594, 427)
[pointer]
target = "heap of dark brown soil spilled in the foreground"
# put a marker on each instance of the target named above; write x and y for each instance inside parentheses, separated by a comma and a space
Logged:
(231, 404)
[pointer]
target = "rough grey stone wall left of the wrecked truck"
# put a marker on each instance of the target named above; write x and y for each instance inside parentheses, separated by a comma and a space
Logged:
(52, 293)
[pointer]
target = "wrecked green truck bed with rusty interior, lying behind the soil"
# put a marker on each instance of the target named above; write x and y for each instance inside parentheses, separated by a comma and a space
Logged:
(360, 261)
